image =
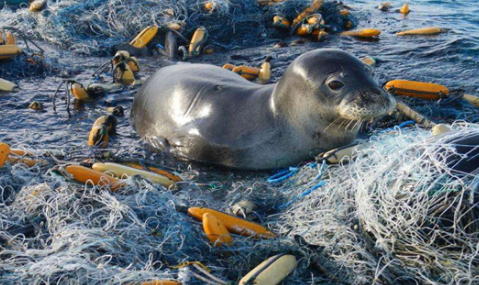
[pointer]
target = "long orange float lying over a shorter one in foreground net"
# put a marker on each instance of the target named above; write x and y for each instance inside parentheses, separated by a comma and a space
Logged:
(233, 224)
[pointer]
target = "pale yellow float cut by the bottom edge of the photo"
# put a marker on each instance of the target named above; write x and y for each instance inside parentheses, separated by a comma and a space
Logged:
(271, 271)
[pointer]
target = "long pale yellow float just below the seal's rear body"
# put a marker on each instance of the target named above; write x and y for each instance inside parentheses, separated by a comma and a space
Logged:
(119, 170)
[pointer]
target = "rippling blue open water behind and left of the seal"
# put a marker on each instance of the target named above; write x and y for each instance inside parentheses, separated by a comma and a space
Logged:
(451, 59)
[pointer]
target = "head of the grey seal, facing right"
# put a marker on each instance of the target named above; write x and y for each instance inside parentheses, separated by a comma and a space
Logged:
(338, 86)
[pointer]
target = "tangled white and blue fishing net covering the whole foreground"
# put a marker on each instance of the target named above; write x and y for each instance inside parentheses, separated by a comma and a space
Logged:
(396, 215)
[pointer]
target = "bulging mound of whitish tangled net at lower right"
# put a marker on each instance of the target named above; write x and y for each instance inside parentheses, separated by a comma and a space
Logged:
(397, 215)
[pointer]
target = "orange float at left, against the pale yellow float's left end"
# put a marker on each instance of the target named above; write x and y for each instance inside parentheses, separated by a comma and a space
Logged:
(83, 175)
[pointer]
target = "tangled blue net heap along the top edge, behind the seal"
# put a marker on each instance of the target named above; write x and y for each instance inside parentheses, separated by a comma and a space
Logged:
(93, 26)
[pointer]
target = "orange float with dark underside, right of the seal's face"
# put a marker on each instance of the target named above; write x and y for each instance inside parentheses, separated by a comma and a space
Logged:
(423, 90)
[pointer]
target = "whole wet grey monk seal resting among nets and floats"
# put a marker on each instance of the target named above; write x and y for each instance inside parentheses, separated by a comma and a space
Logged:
(208, 114)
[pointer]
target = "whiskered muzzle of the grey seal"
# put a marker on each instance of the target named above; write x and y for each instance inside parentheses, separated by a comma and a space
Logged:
(363, 105)
